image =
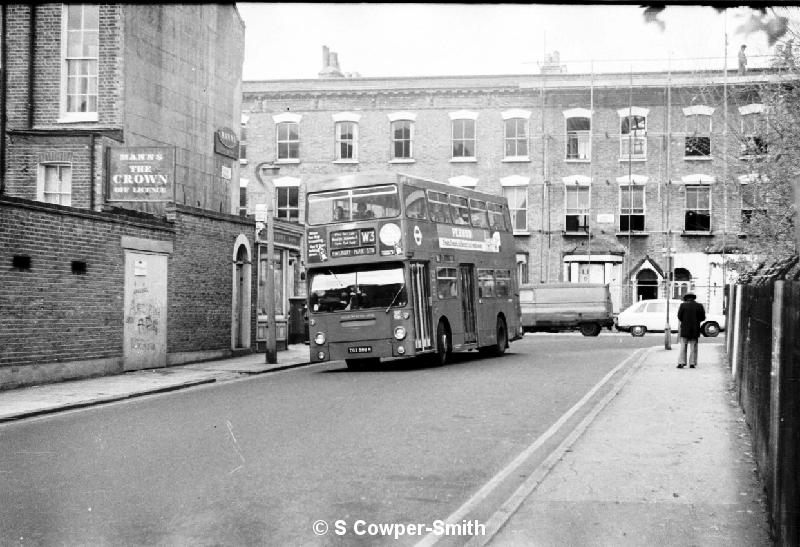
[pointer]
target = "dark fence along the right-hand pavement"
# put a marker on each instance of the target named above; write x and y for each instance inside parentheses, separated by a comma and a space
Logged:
(763, 349)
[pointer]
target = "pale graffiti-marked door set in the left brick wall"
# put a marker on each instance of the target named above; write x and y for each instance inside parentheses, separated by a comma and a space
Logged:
(145, 318)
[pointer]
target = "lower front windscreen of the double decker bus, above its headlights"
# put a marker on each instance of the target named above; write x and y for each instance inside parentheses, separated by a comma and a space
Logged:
(350, 288)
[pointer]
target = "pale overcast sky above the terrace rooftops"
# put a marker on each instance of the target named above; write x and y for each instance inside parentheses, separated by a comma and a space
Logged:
(284, 40)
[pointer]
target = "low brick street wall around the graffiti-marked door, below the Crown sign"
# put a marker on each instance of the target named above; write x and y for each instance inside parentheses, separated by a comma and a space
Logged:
(50, 314)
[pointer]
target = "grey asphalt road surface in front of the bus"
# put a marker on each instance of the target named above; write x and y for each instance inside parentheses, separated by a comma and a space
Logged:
(259, 461)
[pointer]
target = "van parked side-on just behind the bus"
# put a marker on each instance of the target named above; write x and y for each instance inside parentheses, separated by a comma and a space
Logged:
(566, 306)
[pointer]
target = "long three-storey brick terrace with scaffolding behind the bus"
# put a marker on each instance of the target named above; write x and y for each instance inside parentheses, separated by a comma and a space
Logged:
(608, 176)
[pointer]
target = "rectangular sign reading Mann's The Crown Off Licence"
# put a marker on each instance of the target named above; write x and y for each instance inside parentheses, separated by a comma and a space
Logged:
(141, 174)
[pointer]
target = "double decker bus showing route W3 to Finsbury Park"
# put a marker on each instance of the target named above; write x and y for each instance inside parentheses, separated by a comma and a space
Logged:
(400, 266)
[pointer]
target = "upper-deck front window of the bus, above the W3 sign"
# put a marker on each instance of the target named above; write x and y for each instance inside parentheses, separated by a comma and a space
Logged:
(353, 204)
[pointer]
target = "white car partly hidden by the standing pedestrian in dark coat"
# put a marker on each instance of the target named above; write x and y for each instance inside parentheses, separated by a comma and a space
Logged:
(651, 315)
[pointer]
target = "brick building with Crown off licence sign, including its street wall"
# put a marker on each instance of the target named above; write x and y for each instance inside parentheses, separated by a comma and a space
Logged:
(120, 243)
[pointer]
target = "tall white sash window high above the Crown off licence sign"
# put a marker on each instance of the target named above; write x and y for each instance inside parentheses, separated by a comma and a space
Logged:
(65, 115)
